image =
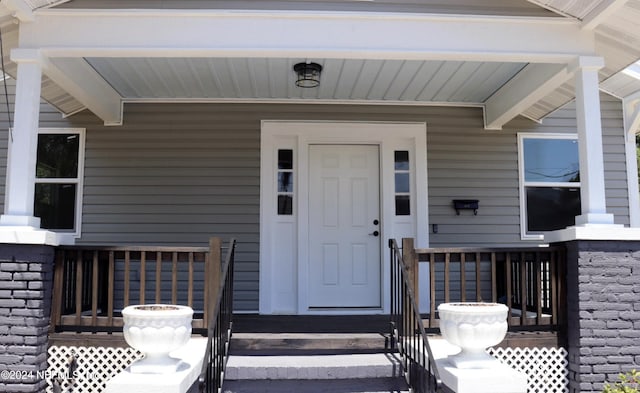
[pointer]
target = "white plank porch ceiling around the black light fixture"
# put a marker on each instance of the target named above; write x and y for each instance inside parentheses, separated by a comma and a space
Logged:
(404, 81)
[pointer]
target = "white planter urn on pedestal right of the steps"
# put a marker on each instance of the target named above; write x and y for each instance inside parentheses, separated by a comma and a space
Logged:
(473, 327)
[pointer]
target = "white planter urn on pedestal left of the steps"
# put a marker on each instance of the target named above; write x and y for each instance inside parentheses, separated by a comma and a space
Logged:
(156, 330)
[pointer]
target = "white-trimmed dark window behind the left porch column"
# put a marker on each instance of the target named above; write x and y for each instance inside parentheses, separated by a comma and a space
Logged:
(58, 179)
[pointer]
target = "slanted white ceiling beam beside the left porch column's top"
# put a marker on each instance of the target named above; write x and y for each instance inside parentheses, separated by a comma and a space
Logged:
(82, 82)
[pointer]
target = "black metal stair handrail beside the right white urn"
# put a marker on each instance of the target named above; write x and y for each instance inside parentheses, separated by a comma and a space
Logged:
(407, 330)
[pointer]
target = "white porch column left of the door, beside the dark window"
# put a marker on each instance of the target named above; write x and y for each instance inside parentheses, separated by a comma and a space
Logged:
(22, 143)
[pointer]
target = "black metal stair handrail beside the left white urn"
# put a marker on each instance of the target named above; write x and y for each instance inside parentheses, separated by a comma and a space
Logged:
(219, 330)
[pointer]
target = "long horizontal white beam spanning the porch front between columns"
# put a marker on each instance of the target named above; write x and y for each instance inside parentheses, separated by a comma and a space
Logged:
(204, 33)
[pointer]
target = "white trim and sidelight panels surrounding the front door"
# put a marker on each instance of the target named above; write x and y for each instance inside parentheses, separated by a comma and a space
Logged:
(283, 278)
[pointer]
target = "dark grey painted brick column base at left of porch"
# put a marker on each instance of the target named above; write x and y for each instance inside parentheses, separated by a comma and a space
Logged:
(26, 280)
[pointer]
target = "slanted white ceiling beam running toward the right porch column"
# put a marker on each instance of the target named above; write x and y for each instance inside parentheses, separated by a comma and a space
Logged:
(530, 85)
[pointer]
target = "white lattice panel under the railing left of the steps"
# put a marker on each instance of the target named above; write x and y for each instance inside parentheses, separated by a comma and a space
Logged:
(91, 367)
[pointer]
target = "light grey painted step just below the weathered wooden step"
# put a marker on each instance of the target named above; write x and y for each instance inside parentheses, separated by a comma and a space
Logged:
(352, 366)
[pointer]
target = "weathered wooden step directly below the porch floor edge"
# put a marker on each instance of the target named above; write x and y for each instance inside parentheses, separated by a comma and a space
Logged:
(307, 343)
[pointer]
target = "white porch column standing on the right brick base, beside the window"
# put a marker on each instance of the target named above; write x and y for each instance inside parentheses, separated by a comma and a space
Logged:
(592, 189)
